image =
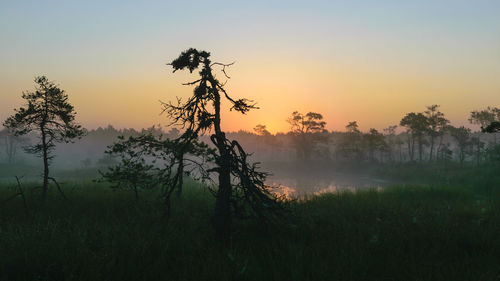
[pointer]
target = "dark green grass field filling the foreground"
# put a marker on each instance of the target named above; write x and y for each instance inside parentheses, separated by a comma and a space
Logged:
(401, 233)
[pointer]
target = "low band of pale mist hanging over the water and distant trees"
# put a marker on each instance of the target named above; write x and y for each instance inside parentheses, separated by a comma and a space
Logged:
(329, 161)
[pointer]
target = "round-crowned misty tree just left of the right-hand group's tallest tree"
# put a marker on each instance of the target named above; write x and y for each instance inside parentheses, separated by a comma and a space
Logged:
(416, 125)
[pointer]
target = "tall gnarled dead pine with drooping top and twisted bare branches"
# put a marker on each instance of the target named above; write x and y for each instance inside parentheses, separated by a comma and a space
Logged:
(241, 188)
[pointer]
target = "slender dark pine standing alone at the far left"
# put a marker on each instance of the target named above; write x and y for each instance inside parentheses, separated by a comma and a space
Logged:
(49, 114)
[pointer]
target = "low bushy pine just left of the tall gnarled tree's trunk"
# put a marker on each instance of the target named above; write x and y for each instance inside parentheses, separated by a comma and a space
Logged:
(147, 161)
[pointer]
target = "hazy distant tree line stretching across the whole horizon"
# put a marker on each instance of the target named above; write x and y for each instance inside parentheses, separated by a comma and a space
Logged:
(425, 136)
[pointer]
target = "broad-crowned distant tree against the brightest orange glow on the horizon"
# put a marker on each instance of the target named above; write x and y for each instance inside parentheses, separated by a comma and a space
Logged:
(307, 131)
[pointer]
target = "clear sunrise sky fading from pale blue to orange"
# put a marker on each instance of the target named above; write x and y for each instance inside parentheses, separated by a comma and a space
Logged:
(369, 61)
